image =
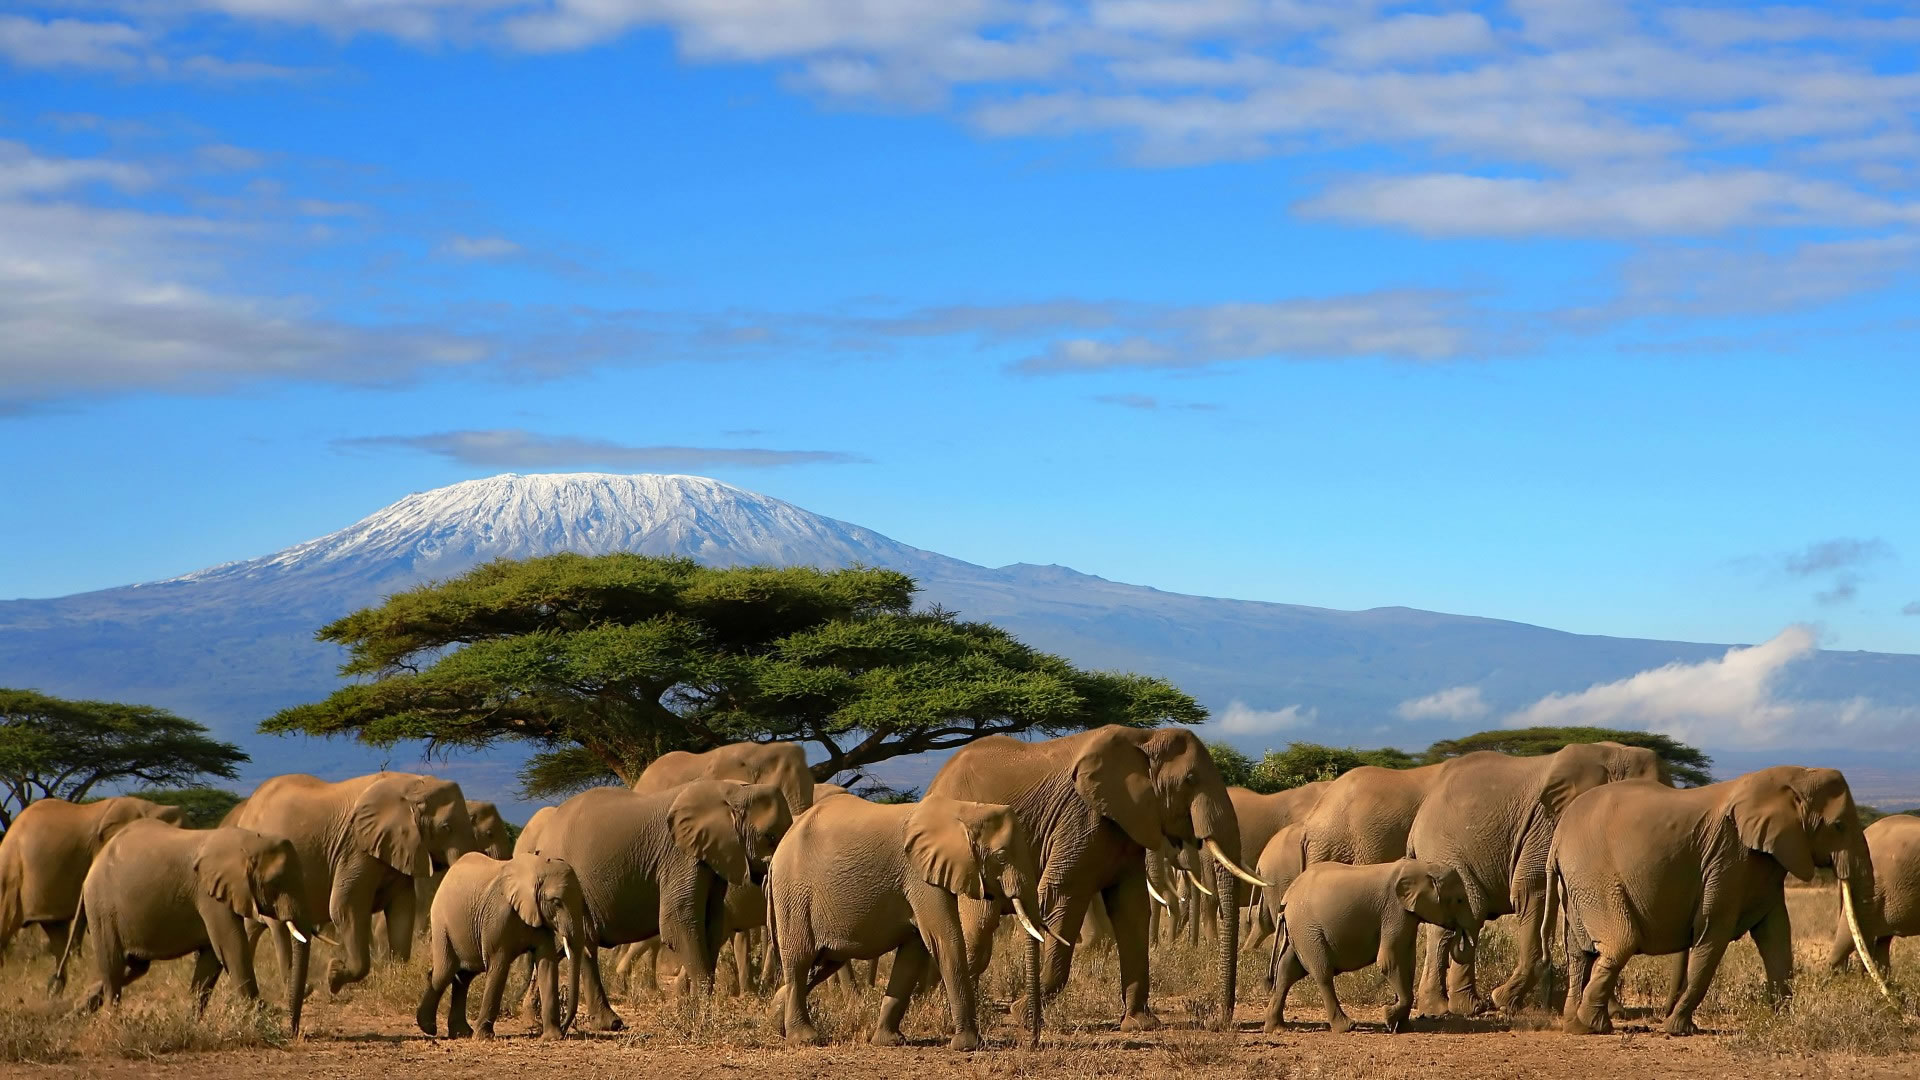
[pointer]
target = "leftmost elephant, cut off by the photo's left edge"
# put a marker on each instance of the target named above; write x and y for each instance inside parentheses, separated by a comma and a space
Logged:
(45, 858)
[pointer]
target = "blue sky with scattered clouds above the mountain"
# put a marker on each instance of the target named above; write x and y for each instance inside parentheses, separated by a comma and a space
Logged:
(1587, 314)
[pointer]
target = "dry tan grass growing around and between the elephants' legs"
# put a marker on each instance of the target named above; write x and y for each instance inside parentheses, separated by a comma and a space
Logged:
(1833, 1018)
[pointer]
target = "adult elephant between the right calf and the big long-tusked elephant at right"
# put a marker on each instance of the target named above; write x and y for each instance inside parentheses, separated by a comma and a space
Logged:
(1491, 820)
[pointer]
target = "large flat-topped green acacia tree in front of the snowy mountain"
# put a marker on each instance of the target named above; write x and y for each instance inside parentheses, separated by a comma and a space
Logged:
(608, 662)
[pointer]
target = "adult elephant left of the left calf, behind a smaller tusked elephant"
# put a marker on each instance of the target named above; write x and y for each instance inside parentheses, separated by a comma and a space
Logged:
(362, 847)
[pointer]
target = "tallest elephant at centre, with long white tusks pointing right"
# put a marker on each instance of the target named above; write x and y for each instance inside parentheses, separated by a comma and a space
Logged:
(1095, 804)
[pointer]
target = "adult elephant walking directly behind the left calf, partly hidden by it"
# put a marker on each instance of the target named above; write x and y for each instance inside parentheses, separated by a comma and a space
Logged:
(661, 864)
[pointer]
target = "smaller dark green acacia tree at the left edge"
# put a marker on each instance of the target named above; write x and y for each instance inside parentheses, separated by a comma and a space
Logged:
(59, 749)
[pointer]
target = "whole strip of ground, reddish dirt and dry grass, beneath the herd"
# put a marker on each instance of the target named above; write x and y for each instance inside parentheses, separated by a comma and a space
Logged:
(1836, 1025)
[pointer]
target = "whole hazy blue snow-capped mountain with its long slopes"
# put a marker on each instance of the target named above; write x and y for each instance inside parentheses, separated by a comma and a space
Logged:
(231, 645)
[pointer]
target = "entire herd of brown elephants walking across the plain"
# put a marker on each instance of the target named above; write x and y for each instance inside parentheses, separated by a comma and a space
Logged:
(1109, 827)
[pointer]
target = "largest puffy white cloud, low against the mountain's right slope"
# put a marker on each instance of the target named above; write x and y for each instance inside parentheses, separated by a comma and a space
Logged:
(1725, 702)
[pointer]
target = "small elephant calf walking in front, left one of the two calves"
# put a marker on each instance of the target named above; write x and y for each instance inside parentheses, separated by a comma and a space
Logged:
(489, 914)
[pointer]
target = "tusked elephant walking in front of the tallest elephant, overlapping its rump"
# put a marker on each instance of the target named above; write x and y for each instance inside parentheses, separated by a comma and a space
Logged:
(857, 881)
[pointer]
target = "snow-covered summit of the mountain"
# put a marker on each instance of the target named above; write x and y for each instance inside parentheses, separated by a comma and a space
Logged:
(446, 531)
